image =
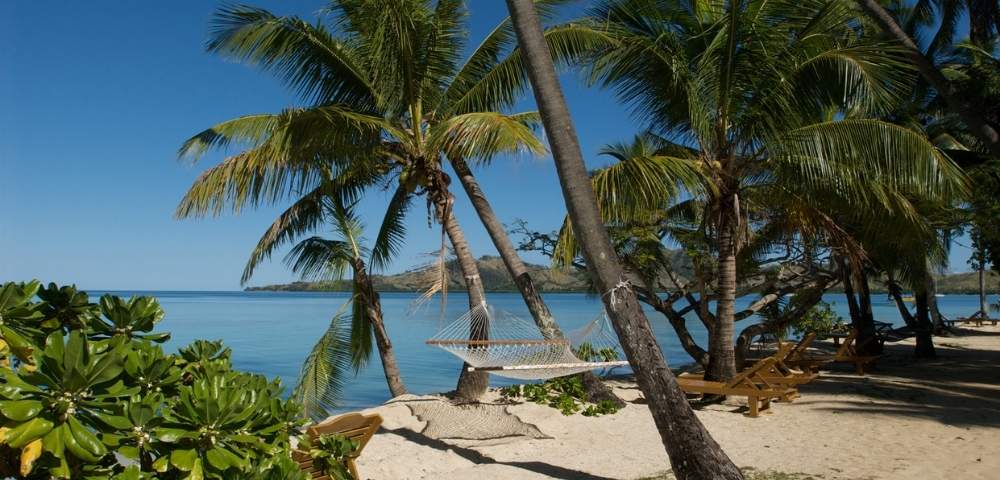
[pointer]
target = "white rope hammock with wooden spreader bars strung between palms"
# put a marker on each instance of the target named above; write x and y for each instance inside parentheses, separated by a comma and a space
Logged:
(504, 344)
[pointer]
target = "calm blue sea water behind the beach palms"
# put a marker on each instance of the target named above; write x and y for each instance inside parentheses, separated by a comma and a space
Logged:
(271, 332)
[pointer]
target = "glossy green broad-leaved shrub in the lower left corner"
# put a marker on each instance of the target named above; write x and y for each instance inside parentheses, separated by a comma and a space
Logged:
(86, 393)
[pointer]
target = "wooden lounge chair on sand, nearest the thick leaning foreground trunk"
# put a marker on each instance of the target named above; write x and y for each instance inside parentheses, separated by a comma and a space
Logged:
(749, 383)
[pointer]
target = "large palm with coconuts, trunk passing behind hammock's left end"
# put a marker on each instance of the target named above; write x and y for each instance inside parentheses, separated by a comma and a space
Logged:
(387, 103)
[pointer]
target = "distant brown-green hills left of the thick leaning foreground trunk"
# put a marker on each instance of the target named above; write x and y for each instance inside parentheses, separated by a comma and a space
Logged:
(491, 270)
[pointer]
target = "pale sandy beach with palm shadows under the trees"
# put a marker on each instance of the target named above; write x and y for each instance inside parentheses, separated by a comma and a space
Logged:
(906, 419)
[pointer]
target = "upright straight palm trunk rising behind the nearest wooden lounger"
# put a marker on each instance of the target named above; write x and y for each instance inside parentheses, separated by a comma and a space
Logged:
(721, 351)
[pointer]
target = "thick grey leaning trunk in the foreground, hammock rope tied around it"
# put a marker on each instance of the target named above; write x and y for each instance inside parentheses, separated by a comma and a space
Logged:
(693, 453)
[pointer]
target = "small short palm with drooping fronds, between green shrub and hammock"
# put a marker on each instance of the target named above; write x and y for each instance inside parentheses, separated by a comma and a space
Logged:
(318, 258)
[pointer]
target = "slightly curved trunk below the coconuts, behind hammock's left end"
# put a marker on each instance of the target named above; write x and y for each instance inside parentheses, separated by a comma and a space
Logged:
(471, 385)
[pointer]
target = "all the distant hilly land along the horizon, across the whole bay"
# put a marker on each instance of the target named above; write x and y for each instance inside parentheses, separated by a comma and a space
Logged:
(496, 279)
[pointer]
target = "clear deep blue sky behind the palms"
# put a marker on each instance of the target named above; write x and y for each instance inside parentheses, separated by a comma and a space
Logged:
(95, 98)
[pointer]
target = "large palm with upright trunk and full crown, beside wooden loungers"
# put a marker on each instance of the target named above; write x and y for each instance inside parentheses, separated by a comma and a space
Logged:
(767, 101)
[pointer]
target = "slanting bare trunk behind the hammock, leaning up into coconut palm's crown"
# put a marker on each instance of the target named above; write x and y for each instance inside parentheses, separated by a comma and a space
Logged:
(546, 322)
